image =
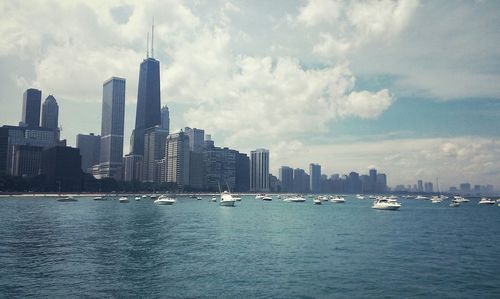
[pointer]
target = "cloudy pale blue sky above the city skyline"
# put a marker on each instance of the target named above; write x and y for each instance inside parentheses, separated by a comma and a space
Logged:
(411, 88)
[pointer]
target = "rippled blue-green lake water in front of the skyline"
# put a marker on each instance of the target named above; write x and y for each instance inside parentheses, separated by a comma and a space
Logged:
(256, 249)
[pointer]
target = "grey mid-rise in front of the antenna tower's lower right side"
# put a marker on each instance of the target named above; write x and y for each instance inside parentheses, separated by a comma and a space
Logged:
(154, 151)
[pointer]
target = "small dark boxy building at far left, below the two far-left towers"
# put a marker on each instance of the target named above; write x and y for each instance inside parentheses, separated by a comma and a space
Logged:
(27, 160)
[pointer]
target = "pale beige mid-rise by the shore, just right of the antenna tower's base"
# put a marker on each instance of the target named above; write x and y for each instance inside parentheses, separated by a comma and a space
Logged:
(177, 159)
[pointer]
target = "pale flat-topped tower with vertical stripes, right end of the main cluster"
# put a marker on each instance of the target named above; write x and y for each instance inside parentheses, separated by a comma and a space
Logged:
(259, 170)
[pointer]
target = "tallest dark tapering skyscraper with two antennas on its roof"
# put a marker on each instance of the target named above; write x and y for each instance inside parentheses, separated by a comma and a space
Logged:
(148, 98)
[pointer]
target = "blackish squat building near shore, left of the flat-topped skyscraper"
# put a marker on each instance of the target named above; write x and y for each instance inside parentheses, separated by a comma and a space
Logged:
(62, 169)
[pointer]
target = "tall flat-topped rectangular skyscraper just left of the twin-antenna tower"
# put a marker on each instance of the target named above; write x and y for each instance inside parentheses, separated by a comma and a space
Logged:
(113, 114)
